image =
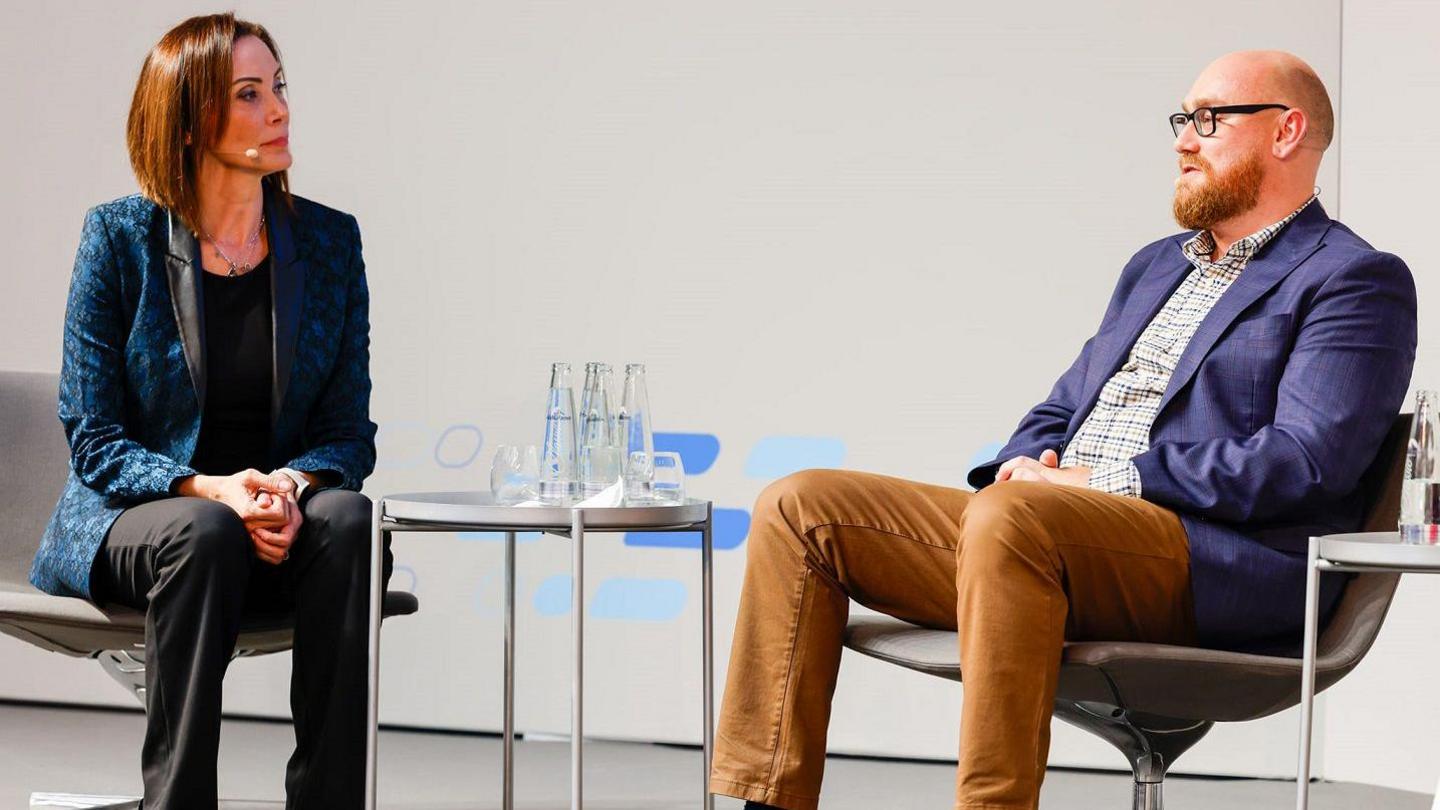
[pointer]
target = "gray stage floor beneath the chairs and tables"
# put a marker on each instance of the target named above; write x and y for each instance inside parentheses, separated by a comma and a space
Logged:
(60, 750)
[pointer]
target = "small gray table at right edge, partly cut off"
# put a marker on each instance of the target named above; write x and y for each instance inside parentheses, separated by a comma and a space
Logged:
(1349, 554)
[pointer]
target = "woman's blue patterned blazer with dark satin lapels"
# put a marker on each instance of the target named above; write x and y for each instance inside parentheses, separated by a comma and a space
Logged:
(135, 367)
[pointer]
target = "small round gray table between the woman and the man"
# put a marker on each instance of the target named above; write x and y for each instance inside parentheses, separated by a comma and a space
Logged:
(479, 512)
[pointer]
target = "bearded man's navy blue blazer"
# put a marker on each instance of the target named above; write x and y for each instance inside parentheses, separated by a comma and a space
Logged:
(1277, 409)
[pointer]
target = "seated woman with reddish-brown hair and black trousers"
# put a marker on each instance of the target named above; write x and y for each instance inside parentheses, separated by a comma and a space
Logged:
(217, 328)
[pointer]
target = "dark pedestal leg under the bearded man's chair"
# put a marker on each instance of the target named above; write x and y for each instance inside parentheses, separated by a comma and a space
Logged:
(1148, 742)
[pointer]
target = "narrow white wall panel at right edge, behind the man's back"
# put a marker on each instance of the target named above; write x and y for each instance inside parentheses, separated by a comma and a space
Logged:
(1383, 720)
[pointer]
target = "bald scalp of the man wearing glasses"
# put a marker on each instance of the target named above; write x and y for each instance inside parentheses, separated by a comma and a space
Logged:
(1274, 77)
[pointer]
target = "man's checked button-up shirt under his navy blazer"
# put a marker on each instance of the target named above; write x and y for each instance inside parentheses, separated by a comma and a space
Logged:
(1120, 426)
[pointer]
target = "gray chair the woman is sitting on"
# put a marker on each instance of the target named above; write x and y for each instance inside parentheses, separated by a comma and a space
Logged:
(34, 465)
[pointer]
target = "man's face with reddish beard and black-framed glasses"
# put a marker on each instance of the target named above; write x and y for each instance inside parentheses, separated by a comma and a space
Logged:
(1220, 177)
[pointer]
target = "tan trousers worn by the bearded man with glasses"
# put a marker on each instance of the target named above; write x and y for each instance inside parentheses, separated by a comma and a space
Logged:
(1016, 570)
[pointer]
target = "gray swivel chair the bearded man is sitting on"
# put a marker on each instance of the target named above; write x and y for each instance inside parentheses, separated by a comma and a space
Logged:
(1156, 701)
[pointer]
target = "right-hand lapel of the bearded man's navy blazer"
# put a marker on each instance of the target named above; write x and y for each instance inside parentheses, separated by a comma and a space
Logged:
(1295, 244)
